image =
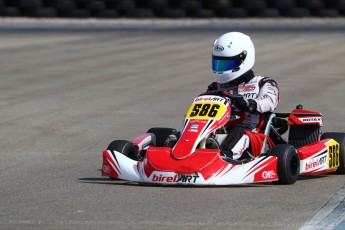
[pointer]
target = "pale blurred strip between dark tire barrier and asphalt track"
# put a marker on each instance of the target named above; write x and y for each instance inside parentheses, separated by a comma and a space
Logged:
(114, 24)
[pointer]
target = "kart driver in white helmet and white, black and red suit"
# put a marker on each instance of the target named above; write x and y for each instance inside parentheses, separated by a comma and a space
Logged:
(233, 57)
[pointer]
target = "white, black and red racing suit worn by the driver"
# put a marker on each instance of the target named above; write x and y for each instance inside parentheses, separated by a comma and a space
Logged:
(264, 91)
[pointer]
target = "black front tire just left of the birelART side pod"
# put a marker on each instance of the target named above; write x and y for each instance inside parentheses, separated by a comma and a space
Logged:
(288, 163)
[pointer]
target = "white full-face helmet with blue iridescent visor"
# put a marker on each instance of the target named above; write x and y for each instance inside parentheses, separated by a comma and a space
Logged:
(233, 54)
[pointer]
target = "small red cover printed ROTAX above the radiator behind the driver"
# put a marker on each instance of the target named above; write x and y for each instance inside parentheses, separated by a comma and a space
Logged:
(305, 117)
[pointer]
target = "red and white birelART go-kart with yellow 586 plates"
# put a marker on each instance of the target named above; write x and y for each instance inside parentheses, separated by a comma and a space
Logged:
(193, 156)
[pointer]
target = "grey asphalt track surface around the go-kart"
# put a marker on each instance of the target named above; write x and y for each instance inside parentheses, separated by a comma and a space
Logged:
(66, 94)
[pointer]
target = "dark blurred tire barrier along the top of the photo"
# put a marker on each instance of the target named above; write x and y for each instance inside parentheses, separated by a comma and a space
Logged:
(172, 8)
